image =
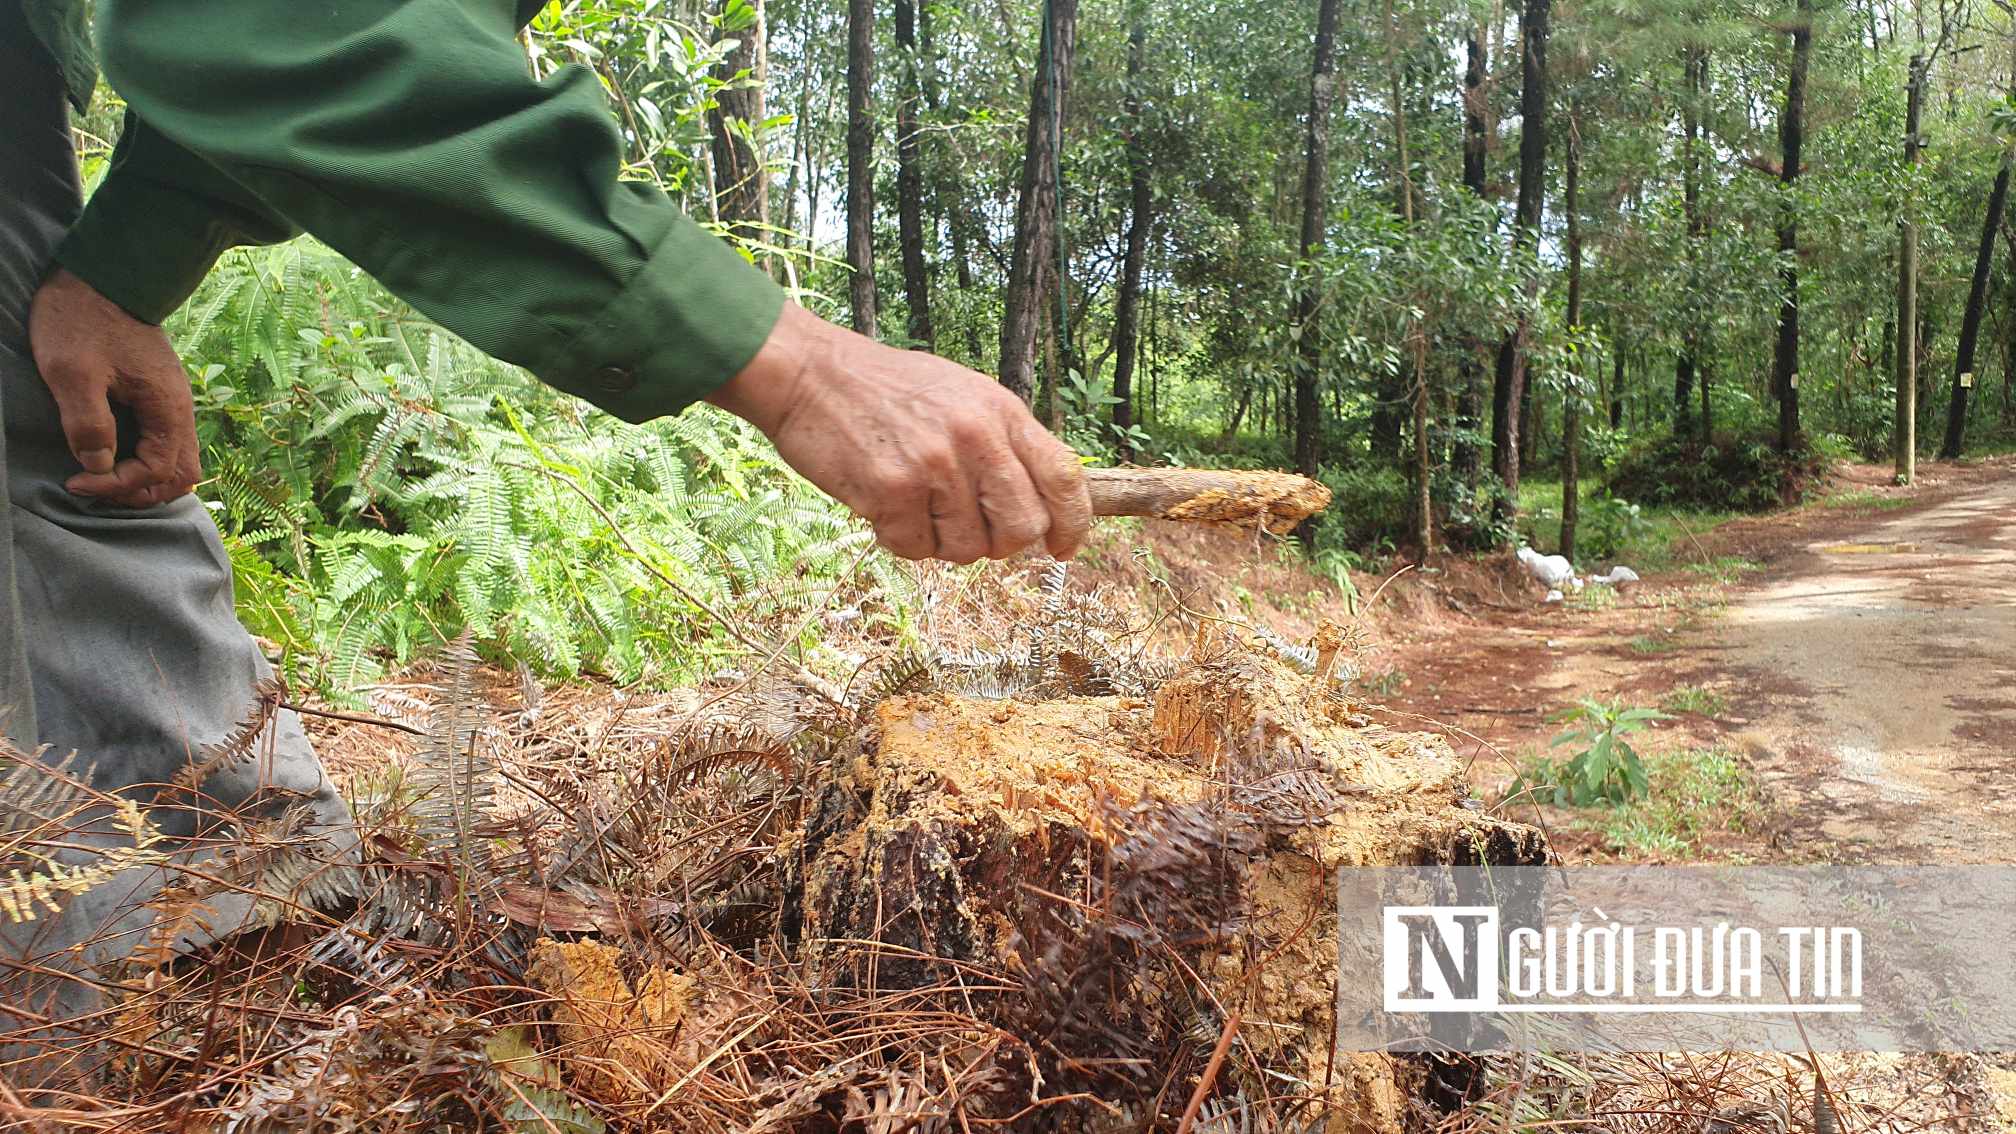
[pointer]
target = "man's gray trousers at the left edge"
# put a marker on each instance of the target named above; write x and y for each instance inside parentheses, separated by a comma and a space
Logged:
(118, 637)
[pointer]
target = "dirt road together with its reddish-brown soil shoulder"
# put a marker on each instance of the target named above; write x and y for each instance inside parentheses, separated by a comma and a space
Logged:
(1864, 655)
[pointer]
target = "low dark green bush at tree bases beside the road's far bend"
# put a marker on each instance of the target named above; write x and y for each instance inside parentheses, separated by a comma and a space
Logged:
(1727, 473)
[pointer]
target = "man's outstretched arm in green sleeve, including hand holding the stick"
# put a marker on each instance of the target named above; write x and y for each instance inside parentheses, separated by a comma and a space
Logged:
(408, 136)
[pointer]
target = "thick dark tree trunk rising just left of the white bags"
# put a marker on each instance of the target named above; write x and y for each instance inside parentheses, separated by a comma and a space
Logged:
(1511, 380)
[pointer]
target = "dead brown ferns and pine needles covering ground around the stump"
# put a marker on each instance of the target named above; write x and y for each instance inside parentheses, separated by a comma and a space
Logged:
(576, 913)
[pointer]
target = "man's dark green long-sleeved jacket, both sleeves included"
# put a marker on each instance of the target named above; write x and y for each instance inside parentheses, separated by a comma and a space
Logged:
(408, 136)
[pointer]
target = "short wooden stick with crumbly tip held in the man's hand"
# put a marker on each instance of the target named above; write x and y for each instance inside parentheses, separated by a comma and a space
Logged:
(1209, 495)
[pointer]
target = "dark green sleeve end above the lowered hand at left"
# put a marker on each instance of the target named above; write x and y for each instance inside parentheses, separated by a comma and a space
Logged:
(158, 223)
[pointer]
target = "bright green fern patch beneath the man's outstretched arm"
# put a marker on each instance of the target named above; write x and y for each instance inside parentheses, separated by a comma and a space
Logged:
(384, 487)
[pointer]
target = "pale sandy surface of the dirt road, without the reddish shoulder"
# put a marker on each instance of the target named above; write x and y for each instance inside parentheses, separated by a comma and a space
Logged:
(1882, 671)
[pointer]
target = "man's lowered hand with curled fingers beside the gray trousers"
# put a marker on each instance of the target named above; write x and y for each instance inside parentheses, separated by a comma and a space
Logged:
(92, 356)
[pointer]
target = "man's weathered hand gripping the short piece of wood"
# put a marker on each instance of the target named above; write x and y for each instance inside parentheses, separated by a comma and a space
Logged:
(942, 461)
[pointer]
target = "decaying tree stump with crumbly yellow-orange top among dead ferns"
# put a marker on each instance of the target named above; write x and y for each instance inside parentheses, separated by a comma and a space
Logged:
(967, 826)
